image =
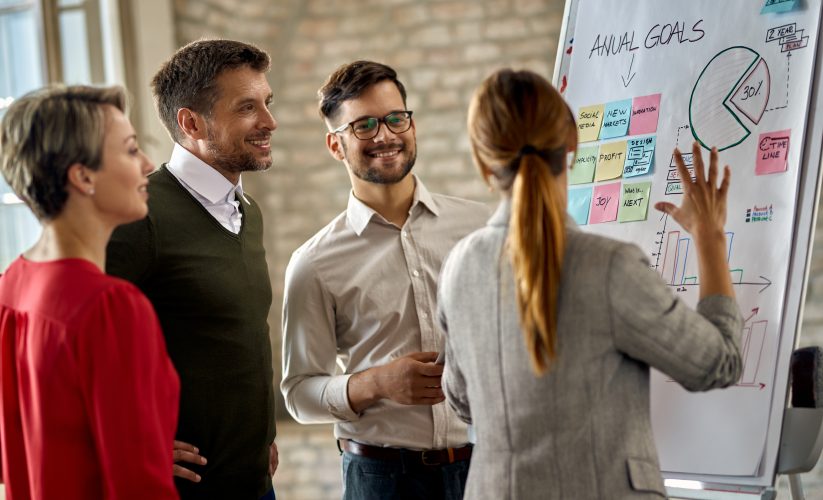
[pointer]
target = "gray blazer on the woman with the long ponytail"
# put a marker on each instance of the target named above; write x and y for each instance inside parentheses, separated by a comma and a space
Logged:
(583, 430)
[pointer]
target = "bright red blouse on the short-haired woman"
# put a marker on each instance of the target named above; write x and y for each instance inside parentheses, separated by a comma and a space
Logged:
(89, 395)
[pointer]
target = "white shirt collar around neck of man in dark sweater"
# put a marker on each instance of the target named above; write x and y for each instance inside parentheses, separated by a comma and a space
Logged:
(202, 177)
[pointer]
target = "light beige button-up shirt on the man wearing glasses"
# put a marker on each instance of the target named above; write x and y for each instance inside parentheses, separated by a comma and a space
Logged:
(361, 293)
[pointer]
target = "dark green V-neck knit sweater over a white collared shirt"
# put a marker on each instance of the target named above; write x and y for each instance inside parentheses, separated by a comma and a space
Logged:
(212, 293)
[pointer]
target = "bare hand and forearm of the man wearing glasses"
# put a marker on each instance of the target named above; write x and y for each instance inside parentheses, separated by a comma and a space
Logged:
(413, 379)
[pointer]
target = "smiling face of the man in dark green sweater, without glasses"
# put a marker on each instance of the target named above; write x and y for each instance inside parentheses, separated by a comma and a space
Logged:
(239, 127)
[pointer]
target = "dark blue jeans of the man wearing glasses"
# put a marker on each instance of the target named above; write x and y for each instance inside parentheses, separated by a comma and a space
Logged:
(373, 479)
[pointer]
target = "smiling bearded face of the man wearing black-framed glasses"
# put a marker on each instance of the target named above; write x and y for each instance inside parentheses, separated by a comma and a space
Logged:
(387, 158)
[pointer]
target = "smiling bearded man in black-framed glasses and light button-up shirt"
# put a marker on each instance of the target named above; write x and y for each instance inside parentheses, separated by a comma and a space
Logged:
(361, 293)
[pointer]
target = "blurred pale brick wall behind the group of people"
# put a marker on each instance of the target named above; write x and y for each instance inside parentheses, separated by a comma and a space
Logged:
(441, 50)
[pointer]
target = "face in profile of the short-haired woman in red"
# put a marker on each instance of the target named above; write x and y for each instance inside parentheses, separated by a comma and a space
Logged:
(120, 183)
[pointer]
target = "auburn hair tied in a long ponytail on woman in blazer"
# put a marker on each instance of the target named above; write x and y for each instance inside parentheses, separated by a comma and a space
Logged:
(520, 130)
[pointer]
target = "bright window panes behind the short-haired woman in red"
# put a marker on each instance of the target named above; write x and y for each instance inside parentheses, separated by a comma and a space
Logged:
(48, 41)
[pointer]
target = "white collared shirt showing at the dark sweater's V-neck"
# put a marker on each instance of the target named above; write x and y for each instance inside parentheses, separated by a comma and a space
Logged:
(208, 186)
